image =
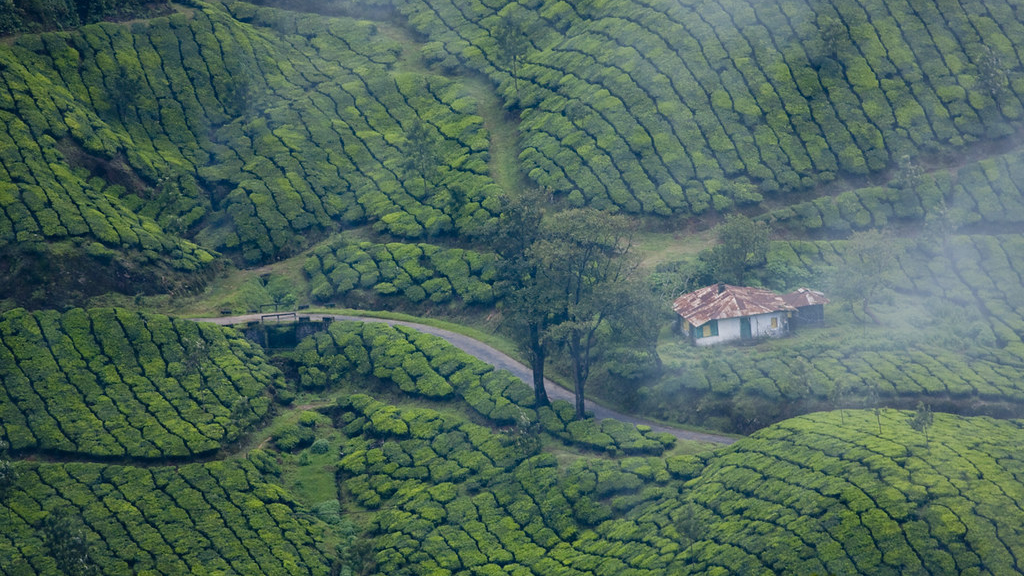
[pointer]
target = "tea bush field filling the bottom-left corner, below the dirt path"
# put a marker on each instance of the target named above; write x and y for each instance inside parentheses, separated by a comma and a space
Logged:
(220, 518)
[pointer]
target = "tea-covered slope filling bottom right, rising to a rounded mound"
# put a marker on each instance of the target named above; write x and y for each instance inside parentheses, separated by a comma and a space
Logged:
(827, 495)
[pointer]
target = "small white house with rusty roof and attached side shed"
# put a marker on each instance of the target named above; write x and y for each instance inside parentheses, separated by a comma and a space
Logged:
(721, 313)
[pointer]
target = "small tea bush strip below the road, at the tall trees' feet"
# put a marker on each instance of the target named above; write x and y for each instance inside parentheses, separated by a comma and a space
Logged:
(608, 435)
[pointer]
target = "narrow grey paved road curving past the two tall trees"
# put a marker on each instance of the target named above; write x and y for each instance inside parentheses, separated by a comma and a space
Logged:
(497, 359)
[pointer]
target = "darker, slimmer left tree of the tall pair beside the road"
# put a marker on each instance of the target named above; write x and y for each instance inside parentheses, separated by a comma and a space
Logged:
(527, 308)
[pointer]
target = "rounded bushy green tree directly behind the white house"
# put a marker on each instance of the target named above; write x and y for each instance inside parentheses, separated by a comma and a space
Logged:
(743, 245)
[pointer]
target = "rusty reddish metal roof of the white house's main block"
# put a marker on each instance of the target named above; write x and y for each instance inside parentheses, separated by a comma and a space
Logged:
(719, 302)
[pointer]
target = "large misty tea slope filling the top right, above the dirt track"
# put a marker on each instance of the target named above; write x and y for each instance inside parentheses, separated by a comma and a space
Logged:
(651, 106)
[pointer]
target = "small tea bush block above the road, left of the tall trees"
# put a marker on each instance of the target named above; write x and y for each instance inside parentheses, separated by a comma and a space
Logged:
(416, 272)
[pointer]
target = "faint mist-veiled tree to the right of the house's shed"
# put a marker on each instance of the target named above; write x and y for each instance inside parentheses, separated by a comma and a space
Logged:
(868, 269)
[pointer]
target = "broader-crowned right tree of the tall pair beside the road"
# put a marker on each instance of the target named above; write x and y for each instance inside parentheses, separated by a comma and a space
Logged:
(586, 271)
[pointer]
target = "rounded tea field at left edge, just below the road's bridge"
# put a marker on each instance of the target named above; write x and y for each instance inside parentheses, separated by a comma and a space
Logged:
(112, 383)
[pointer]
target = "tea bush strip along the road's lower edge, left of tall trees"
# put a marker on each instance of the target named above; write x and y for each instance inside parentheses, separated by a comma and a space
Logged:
(418, 363)
